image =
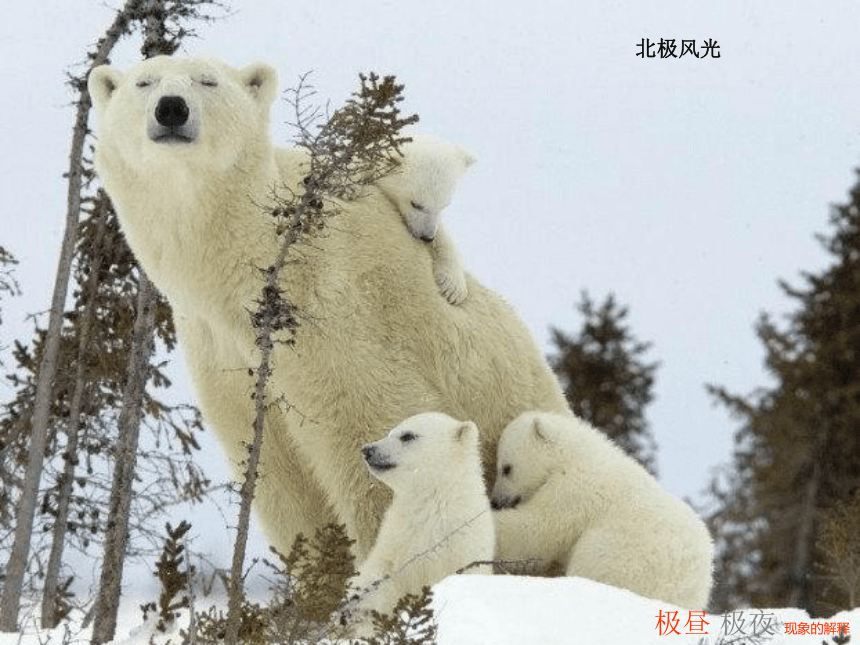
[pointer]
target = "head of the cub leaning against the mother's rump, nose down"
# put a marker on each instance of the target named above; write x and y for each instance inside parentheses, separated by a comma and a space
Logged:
(528, 455)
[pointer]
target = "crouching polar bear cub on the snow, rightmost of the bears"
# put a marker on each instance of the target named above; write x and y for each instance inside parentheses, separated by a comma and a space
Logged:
(570, 497)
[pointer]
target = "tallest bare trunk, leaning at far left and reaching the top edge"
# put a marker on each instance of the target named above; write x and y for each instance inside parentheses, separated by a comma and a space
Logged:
(15, 569)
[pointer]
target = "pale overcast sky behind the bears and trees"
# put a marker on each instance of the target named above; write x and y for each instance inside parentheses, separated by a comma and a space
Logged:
(685, 186)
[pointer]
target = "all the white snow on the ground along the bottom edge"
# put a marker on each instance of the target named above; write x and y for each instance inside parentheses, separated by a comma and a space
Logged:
(512, 610)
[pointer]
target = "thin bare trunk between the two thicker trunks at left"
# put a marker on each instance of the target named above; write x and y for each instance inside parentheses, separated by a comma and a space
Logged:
(58, 538)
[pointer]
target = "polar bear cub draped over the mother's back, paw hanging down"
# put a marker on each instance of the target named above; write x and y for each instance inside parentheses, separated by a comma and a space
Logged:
(421, 188)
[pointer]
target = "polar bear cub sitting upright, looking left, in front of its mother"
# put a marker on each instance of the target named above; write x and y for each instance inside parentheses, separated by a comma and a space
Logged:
(439, 520)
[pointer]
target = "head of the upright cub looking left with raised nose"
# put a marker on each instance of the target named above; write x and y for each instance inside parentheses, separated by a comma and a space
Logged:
(424, 449)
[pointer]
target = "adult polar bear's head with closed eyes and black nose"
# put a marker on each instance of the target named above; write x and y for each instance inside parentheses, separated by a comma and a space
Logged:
(172, 112)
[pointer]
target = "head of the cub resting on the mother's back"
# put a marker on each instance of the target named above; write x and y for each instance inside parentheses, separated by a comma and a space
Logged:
(423, 185)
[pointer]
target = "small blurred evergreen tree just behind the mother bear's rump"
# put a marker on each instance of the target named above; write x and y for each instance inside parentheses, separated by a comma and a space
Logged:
(605, 378)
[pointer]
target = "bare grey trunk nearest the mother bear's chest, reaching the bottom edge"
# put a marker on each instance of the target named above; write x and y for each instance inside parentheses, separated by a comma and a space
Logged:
(116, 539)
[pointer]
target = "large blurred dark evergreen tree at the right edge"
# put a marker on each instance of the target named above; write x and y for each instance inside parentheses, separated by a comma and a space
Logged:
(797, 455)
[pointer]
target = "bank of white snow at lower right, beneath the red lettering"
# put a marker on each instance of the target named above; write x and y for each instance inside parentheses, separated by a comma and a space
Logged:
(509, 610)
